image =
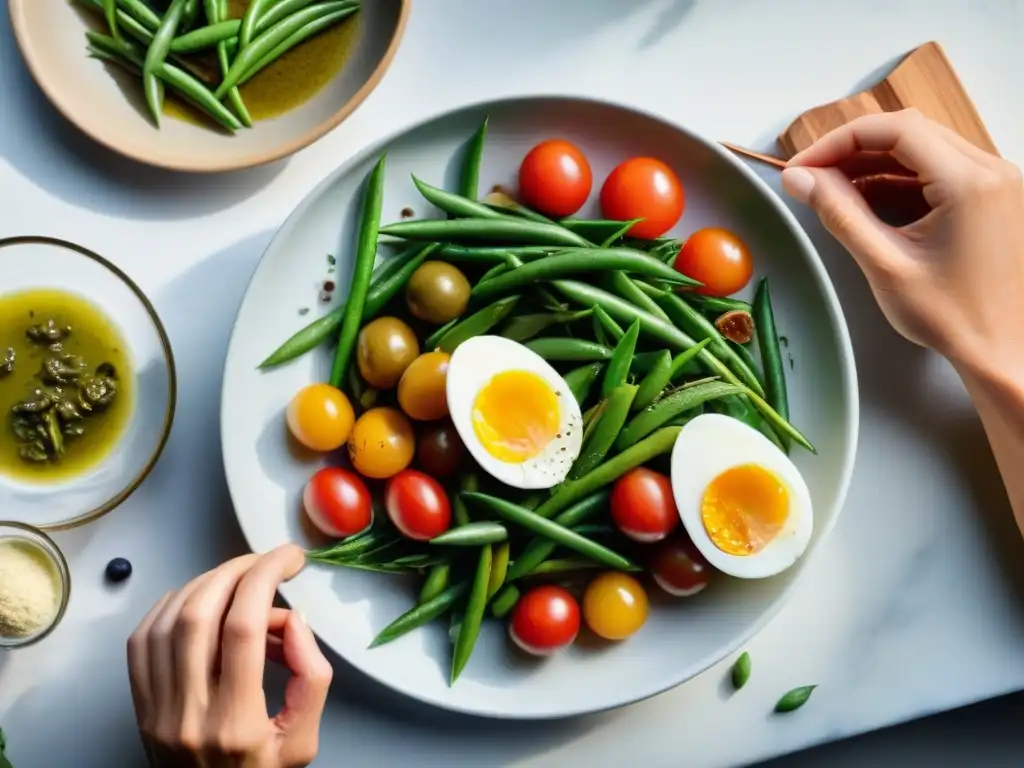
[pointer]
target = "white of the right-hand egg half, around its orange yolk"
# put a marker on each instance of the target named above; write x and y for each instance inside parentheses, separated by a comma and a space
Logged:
(709, 446)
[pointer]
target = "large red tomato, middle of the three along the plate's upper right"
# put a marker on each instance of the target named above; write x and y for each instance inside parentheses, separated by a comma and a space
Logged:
(648, 189)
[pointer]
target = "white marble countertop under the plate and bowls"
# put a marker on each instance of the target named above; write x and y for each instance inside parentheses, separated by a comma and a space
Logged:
(914, 607)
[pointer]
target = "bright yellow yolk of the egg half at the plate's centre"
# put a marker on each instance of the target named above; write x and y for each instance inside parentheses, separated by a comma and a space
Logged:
(516, 416)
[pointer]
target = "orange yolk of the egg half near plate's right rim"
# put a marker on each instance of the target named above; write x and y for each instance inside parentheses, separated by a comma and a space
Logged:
(744, 509)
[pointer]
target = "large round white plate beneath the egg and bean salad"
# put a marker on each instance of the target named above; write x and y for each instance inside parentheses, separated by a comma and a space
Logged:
(347, 610)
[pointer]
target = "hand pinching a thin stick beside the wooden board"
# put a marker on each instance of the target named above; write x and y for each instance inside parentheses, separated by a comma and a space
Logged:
(953, 281)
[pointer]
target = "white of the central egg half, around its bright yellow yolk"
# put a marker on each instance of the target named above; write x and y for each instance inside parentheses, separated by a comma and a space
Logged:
(476, 363)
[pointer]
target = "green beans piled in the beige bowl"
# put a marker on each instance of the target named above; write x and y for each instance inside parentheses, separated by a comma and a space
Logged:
(157, 47)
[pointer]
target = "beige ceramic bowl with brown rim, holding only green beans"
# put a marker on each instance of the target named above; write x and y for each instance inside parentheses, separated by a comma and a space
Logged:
(107, 104)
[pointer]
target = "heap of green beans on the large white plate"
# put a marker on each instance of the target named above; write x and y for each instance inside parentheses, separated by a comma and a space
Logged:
(639, 353)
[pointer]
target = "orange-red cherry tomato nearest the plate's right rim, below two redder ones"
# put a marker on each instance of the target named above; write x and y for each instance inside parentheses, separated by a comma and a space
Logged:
(718, 259)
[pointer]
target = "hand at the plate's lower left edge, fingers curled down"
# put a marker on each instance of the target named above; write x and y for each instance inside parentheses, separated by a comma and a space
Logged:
(197, 661)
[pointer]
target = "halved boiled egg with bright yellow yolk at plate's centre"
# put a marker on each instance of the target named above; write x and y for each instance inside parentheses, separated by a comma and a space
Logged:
(515, 413)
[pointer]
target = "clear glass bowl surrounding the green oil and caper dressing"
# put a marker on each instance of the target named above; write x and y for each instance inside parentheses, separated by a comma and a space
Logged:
(35, 264)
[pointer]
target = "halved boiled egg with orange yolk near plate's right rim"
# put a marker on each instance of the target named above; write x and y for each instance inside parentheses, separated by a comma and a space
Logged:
(743, 502)
